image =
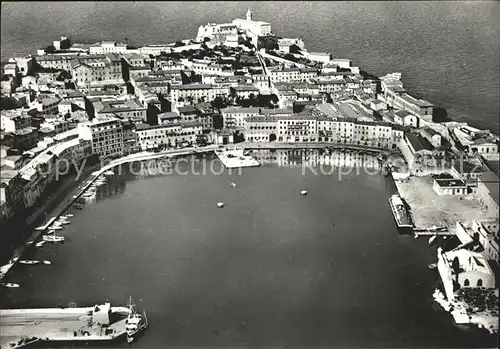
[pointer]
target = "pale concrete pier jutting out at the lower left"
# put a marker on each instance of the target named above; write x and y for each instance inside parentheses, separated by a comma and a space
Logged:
(21, 327)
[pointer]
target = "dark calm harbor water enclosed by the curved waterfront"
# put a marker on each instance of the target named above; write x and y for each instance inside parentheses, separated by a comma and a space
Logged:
(272, 268)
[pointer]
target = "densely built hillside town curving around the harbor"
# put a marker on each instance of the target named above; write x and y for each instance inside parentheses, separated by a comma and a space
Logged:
(233, 83)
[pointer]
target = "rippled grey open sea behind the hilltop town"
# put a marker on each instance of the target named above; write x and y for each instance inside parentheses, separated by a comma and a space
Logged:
(448, 51)
